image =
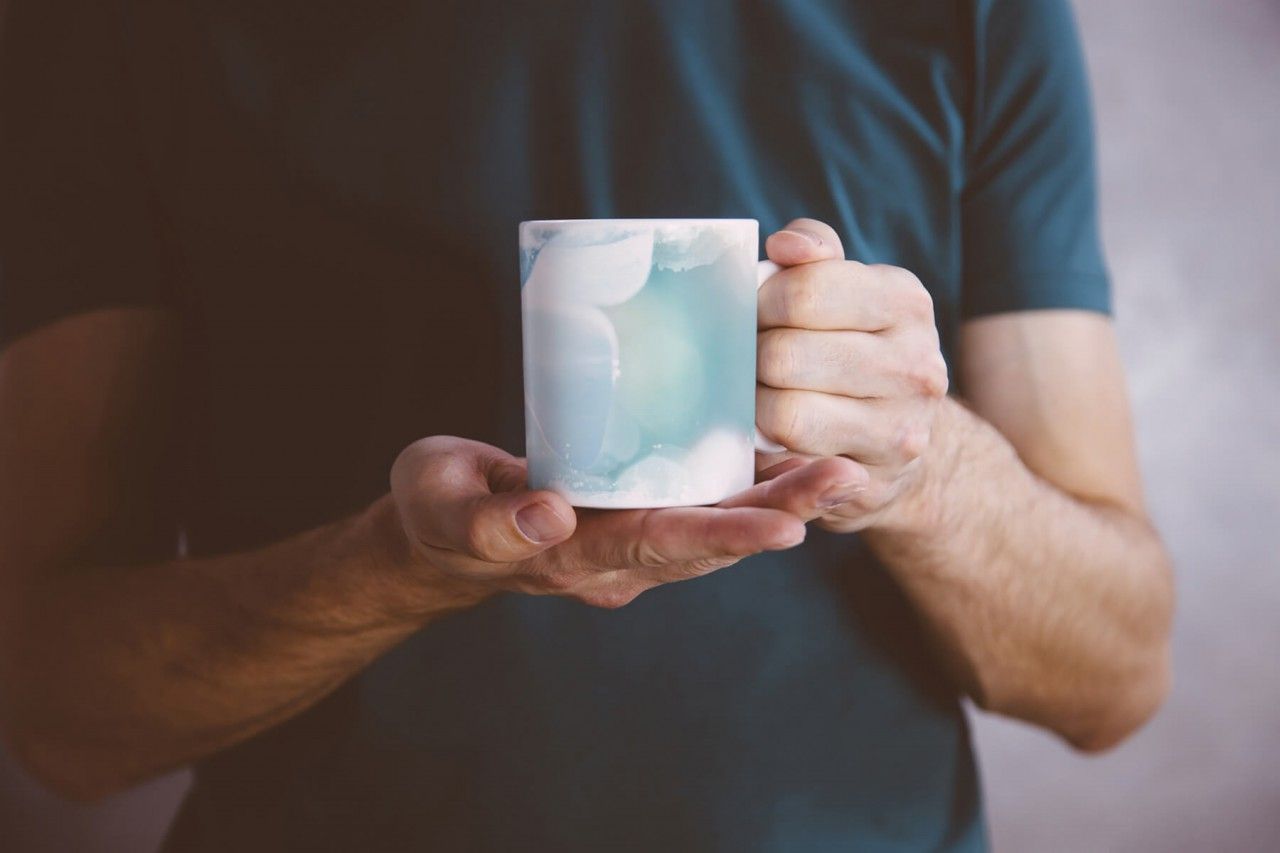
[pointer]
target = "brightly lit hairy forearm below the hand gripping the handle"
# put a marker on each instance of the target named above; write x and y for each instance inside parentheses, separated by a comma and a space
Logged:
(1046, 608)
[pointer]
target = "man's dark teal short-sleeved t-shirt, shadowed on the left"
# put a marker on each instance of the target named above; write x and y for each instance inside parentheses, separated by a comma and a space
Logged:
(327, 195)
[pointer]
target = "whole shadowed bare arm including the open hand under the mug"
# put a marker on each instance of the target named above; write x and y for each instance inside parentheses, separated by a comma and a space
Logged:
(118, 660)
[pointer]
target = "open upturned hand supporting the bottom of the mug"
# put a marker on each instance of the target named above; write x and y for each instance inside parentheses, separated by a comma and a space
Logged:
(468, 514)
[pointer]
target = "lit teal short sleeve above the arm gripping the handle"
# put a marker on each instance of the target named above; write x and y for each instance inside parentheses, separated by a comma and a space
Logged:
(1030, 200)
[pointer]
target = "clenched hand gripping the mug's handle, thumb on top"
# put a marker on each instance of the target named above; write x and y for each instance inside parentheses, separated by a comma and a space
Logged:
(849, 364)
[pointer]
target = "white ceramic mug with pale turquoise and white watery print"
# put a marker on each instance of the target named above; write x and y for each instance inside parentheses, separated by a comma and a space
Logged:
(639, 343)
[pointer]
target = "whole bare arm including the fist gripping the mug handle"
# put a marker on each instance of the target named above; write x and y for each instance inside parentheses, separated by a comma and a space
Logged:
(1016, 524)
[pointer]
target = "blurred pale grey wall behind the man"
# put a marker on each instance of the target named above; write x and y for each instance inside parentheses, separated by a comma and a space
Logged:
(1188, 106)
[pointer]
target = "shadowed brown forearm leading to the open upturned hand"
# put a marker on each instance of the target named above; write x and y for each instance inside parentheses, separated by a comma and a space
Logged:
(113, 674)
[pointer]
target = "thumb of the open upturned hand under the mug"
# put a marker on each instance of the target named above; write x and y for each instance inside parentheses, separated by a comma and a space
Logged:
(469, 498)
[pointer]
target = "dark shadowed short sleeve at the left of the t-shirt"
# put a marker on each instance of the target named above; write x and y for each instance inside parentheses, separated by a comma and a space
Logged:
(77, 223)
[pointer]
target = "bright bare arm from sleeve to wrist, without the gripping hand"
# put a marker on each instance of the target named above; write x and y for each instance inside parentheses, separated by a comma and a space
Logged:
(1026, 544)
